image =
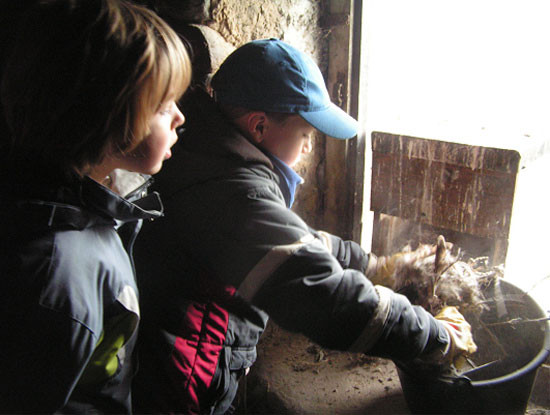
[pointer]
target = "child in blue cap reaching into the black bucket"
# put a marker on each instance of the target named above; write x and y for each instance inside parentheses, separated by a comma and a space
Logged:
(230, 252)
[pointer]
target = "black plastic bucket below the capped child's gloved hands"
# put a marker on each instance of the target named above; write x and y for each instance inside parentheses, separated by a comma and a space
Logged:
(503, 387)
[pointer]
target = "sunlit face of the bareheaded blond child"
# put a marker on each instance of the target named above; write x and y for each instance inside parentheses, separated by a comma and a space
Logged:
(149, 155)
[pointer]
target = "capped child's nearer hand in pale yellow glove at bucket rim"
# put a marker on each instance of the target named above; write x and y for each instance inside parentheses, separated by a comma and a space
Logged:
(461, 342)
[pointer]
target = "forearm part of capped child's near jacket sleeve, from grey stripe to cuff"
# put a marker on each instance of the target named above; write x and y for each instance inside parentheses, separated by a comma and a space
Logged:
(340, 309)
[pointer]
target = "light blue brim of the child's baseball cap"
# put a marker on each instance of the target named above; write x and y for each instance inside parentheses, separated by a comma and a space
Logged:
(333, 122)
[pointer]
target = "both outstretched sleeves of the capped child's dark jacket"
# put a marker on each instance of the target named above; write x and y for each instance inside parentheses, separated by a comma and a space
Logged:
(278, 264)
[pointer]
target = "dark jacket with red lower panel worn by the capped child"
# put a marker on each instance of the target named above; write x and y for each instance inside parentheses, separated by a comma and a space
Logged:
(227, 227)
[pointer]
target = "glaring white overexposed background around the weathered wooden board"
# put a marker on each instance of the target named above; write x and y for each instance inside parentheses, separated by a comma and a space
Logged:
(474, 71)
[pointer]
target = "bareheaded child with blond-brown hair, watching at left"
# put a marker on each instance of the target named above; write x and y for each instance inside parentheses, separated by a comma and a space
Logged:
(89, 88)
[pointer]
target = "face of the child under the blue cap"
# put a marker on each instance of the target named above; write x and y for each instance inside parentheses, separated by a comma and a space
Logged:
(289, 139)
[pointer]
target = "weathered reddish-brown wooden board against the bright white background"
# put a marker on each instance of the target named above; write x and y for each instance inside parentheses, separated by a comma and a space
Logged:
(459, 187)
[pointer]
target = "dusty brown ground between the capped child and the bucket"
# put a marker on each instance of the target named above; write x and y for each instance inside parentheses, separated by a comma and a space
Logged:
(294, 376)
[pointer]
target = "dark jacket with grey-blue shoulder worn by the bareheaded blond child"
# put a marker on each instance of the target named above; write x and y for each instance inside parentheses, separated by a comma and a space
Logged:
(68, 304)
